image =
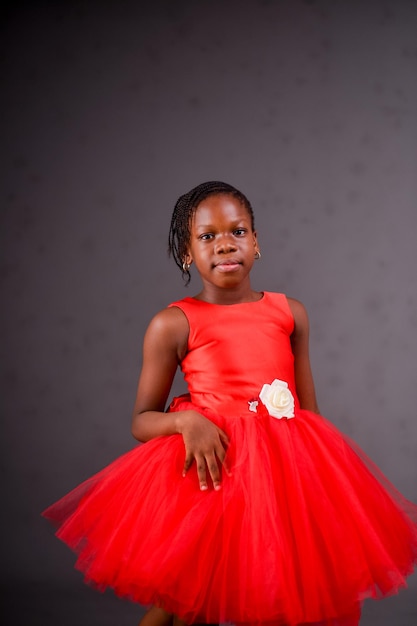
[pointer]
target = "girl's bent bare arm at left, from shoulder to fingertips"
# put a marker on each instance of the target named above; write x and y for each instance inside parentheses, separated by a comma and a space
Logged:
(164, 347)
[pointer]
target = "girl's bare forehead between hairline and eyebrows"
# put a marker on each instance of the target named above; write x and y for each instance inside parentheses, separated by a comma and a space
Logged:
(220, 208)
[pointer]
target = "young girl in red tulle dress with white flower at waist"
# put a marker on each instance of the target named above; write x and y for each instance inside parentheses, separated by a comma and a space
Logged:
(244, 504)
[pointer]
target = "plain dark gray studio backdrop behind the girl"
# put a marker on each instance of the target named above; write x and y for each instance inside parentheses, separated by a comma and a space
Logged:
(111, 110)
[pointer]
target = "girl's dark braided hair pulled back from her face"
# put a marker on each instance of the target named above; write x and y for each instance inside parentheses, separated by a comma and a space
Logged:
(180, 232)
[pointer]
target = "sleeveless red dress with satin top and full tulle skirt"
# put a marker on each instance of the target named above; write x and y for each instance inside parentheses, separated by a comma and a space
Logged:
(304, 529)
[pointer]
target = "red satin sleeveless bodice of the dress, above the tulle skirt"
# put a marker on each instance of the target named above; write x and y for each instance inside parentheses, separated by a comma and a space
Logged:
(233, 350)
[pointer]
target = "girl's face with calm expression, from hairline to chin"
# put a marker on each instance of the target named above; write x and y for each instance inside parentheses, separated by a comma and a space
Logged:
(222, 243)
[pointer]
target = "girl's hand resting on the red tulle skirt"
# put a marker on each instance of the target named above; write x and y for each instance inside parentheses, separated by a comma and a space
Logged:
(205, 443)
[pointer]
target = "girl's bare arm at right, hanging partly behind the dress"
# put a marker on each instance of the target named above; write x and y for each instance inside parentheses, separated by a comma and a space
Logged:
(300, 346)
